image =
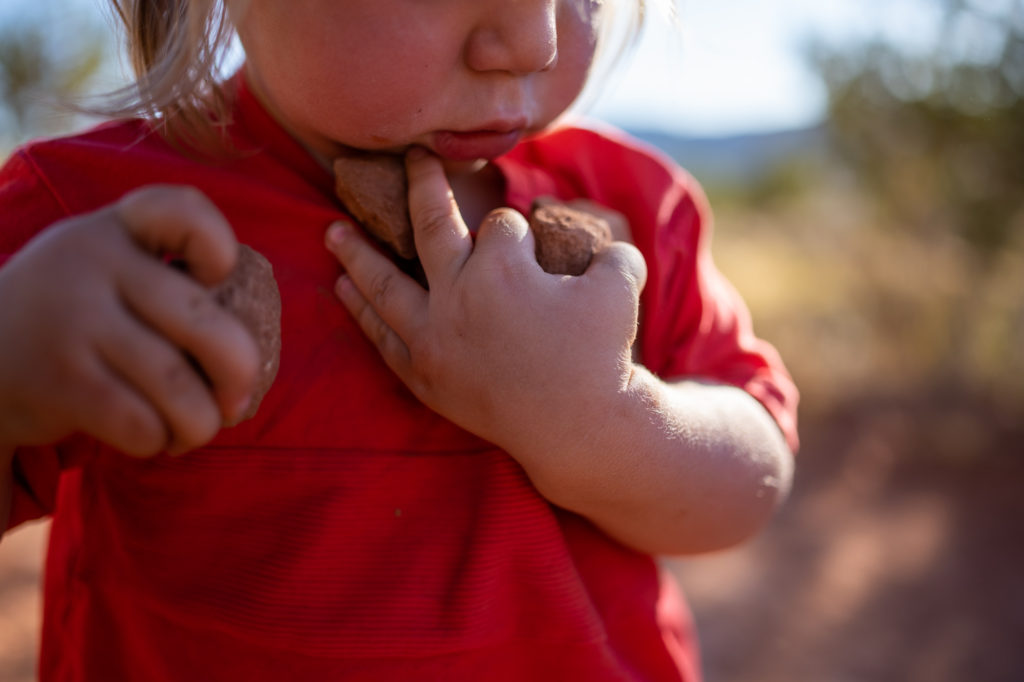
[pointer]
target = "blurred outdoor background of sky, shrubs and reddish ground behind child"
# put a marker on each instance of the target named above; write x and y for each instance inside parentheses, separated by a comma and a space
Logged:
(866, 163)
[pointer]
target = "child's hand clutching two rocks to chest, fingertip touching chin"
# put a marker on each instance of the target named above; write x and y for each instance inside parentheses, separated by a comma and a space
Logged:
(500, 348)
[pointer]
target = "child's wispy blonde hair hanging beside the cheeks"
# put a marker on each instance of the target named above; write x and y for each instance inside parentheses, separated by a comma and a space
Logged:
(178, 51)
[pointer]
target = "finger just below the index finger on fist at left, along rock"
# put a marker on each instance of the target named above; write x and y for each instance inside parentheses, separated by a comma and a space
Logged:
(187, 315)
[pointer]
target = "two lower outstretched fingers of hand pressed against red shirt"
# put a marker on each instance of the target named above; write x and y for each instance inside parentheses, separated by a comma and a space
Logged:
(396, 301)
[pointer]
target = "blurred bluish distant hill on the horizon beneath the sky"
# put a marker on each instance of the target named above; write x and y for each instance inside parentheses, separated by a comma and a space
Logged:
(738, 158)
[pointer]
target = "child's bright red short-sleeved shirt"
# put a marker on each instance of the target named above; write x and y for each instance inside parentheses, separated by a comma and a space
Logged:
(348, 532)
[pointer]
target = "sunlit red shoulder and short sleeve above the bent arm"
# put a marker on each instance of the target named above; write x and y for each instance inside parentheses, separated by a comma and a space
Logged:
(694, 324)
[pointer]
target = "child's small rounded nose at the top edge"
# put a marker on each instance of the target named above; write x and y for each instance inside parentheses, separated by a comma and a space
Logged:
(515, 36)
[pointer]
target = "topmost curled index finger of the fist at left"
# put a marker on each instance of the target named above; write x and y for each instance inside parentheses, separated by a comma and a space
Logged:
(182, 222)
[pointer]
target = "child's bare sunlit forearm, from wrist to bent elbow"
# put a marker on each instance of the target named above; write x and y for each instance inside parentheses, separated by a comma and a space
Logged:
(671, 468)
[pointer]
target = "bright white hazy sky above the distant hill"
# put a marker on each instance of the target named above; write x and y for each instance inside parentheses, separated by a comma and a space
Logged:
(724, 68)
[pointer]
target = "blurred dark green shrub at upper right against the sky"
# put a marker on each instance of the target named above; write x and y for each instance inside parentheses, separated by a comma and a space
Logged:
(937, 132)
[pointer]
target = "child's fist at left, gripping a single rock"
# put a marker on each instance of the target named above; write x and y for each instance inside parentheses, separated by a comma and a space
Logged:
(101, 336)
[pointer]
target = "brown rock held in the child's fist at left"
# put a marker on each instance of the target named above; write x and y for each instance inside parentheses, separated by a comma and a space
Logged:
(251, 293)
